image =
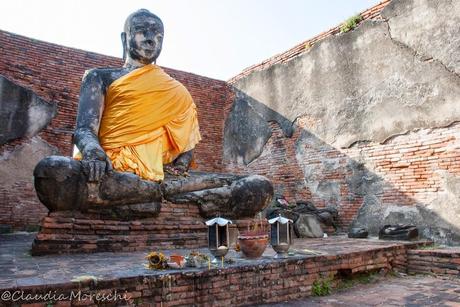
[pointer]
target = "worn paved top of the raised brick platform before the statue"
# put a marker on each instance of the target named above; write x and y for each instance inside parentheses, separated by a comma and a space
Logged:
(18, 268)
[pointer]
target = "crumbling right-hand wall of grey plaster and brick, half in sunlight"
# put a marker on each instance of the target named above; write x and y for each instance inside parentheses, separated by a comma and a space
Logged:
(375, 115)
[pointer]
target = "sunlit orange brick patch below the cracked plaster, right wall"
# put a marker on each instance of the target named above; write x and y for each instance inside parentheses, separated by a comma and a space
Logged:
(412, 165)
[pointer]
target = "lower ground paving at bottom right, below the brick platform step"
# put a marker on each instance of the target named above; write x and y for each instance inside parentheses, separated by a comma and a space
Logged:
(410, 291)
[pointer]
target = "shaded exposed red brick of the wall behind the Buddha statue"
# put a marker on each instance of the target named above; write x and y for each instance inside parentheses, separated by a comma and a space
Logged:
(54, 73)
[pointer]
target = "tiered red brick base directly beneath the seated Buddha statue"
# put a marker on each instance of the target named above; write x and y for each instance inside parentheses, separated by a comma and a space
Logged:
(176, 226)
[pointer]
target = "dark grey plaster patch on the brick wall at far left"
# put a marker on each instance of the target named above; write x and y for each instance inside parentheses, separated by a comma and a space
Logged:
(22, 113)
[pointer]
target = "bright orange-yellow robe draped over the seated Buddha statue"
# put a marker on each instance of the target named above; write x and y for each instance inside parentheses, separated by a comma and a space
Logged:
(148, 120)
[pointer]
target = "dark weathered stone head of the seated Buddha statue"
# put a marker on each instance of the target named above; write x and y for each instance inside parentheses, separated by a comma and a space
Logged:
(142, 38)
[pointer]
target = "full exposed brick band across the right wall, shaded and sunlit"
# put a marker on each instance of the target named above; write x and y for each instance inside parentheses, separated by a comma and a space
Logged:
(411, 168)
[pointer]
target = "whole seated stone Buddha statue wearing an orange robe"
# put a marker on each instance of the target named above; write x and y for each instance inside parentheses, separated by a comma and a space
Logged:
(135, 135)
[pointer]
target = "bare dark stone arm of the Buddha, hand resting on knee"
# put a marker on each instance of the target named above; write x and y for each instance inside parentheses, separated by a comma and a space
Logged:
(90, 107)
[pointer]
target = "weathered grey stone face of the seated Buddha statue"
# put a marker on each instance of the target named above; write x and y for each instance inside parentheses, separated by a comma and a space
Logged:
(144, 38)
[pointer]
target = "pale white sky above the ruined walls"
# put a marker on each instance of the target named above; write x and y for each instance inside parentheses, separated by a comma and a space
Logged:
(213, 38)
